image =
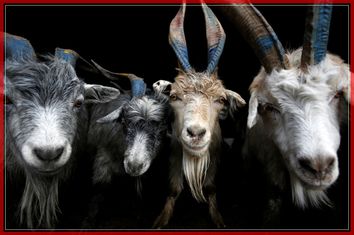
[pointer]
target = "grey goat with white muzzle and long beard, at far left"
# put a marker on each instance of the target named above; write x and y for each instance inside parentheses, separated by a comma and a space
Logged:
(46, 124)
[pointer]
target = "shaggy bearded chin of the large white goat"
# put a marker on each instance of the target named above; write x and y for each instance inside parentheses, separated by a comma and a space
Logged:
(303, 196)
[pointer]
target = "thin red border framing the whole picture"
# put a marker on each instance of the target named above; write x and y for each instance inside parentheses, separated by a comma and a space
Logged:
(164, 2)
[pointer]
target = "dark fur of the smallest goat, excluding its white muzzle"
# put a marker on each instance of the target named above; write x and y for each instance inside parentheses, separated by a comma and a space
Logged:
(110, 141)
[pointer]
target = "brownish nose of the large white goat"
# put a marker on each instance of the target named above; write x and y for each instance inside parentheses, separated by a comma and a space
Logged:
(317, 166)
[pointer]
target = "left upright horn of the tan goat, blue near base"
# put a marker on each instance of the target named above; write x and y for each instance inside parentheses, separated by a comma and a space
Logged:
(177, 39)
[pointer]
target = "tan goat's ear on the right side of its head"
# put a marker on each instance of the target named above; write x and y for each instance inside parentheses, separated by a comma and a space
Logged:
(235, 101)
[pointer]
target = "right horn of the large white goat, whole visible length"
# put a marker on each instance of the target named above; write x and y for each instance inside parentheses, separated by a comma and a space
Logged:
(318, 20)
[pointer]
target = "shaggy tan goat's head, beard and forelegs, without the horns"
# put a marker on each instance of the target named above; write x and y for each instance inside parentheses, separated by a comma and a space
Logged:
(197, 100)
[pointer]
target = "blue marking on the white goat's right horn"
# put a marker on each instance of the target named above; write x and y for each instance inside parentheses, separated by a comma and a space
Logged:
(322, 21)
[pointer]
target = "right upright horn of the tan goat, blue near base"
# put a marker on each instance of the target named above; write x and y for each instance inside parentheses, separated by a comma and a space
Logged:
(215, 38)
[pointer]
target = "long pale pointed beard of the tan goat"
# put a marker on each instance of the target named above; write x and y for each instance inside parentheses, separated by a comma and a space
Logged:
(195, 169)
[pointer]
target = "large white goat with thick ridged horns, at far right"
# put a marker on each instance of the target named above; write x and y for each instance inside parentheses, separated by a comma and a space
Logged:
(296, 106)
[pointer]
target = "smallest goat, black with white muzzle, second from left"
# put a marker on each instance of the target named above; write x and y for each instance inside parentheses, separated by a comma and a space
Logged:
(127, 134)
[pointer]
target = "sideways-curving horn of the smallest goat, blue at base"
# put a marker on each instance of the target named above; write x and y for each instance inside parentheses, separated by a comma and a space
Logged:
(138, 86)
